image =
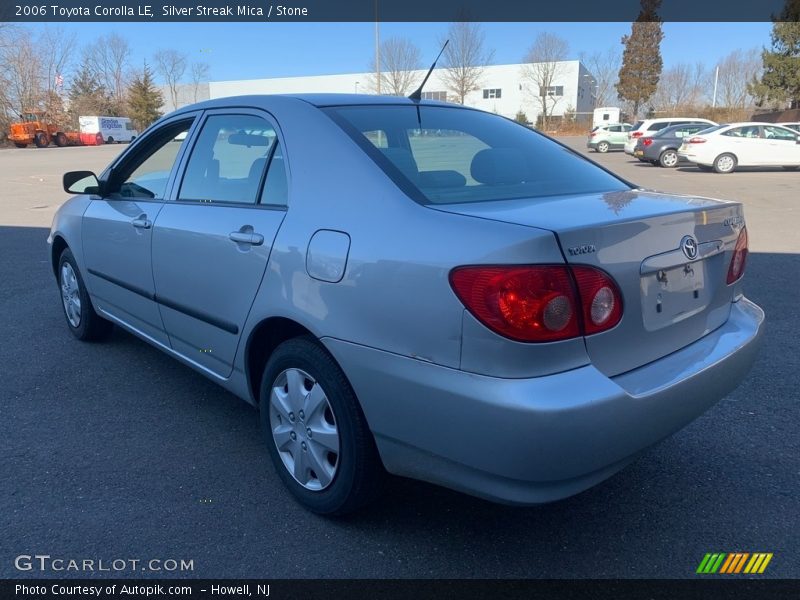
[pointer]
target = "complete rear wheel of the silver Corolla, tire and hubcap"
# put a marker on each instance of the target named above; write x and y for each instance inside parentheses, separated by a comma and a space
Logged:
(315, 430)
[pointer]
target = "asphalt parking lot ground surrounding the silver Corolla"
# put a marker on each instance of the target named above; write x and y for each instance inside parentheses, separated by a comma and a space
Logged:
(115, 451)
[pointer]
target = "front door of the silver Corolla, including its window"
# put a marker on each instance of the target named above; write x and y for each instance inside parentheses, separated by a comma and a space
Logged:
(117, 228)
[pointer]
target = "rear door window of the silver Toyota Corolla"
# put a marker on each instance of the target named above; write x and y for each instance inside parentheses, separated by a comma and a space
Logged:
(229, 160)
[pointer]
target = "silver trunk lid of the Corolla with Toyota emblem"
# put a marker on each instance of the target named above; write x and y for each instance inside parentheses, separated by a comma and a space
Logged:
(644, 240)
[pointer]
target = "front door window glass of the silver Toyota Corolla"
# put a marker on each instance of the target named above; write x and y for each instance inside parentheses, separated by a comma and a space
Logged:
(146, 173)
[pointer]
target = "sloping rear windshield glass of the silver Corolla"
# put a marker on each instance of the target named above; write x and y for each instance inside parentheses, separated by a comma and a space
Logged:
(442, 155)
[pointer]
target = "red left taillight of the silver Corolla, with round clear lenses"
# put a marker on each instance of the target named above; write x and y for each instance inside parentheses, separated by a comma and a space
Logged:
(539, 303)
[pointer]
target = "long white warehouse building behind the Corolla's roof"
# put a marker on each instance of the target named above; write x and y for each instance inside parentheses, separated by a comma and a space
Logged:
(504, 89)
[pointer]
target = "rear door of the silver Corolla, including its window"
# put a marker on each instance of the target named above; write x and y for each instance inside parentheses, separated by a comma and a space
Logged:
(212, 241)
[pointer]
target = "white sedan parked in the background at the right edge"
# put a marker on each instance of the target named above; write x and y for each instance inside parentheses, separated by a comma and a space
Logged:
(726, 147)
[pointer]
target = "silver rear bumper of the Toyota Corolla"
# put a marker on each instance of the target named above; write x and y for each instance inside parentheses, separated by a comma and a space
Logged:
(527, 441)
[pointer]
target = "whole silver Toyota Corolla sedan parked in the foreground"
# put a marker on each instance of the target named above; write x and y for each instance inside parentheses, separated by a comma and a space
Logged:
(412, 287)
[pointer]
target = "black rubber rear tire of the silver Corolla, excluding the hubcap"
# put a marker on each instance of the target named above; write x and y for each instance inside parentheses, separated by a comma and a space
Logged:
(358, 471)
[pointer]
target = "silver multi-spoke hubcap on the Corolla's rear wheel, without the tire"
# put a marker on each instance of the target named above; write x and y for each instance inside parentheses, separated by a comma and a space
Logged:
(304, 429)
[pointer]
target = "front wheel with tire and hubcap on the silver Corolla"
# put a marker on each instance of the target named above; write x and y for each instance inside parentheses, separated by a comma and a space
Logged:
(82, 320)
